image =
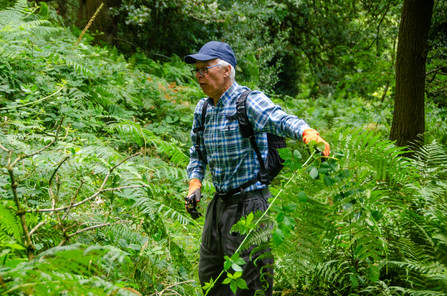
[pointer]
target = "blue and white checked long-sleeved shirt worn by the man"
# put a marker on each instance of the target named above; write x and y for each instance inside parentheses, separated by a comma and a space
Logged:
(230, 157)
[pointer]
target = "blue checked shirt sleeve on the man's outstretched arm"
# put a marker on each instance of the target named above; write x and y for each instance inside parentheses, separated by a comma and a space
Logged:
(265, 116)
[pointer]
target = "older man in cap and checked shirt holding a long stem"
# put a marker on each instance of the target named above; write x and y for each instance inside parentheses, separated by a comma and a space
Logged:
(232, 163)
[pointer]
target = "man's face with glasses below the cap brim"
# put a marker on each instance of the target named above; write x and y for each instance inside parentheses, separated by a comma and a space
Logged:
(215, 83)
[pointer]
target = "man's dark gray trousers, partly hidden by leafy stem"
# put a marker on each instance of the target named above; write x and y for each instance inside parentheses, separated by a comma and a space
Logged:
(217, 242)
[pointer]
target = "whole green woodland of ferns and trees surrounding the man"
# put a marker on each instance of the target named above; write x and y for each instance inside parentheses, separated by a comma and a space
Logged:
(94, 140)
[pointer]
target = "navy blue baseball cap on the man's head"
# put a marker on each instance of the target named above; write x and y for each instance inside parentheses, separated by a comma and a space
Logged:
(213, 50)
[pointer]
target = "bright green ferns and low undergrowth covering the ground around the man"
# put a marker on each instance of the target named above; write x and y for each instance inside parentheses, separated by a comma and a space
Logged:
(93, 151)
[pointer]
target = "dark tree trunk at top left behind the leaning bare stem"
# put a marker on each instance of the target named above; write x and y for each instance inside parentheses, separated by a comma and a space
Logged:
(103, 22)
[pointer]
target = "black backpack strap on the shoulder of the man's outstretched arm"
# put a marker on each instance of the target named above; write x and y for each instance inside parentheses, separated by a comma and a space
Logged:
(245, 126)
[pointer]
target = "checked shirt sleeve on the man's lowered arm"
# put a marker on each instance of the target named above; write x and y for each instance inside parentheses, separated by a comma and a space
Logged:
(196, 167)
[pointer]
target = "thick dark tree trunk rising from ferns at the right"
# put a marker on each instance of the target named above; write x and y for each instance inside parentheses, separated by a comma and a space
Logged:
(409, 113)
